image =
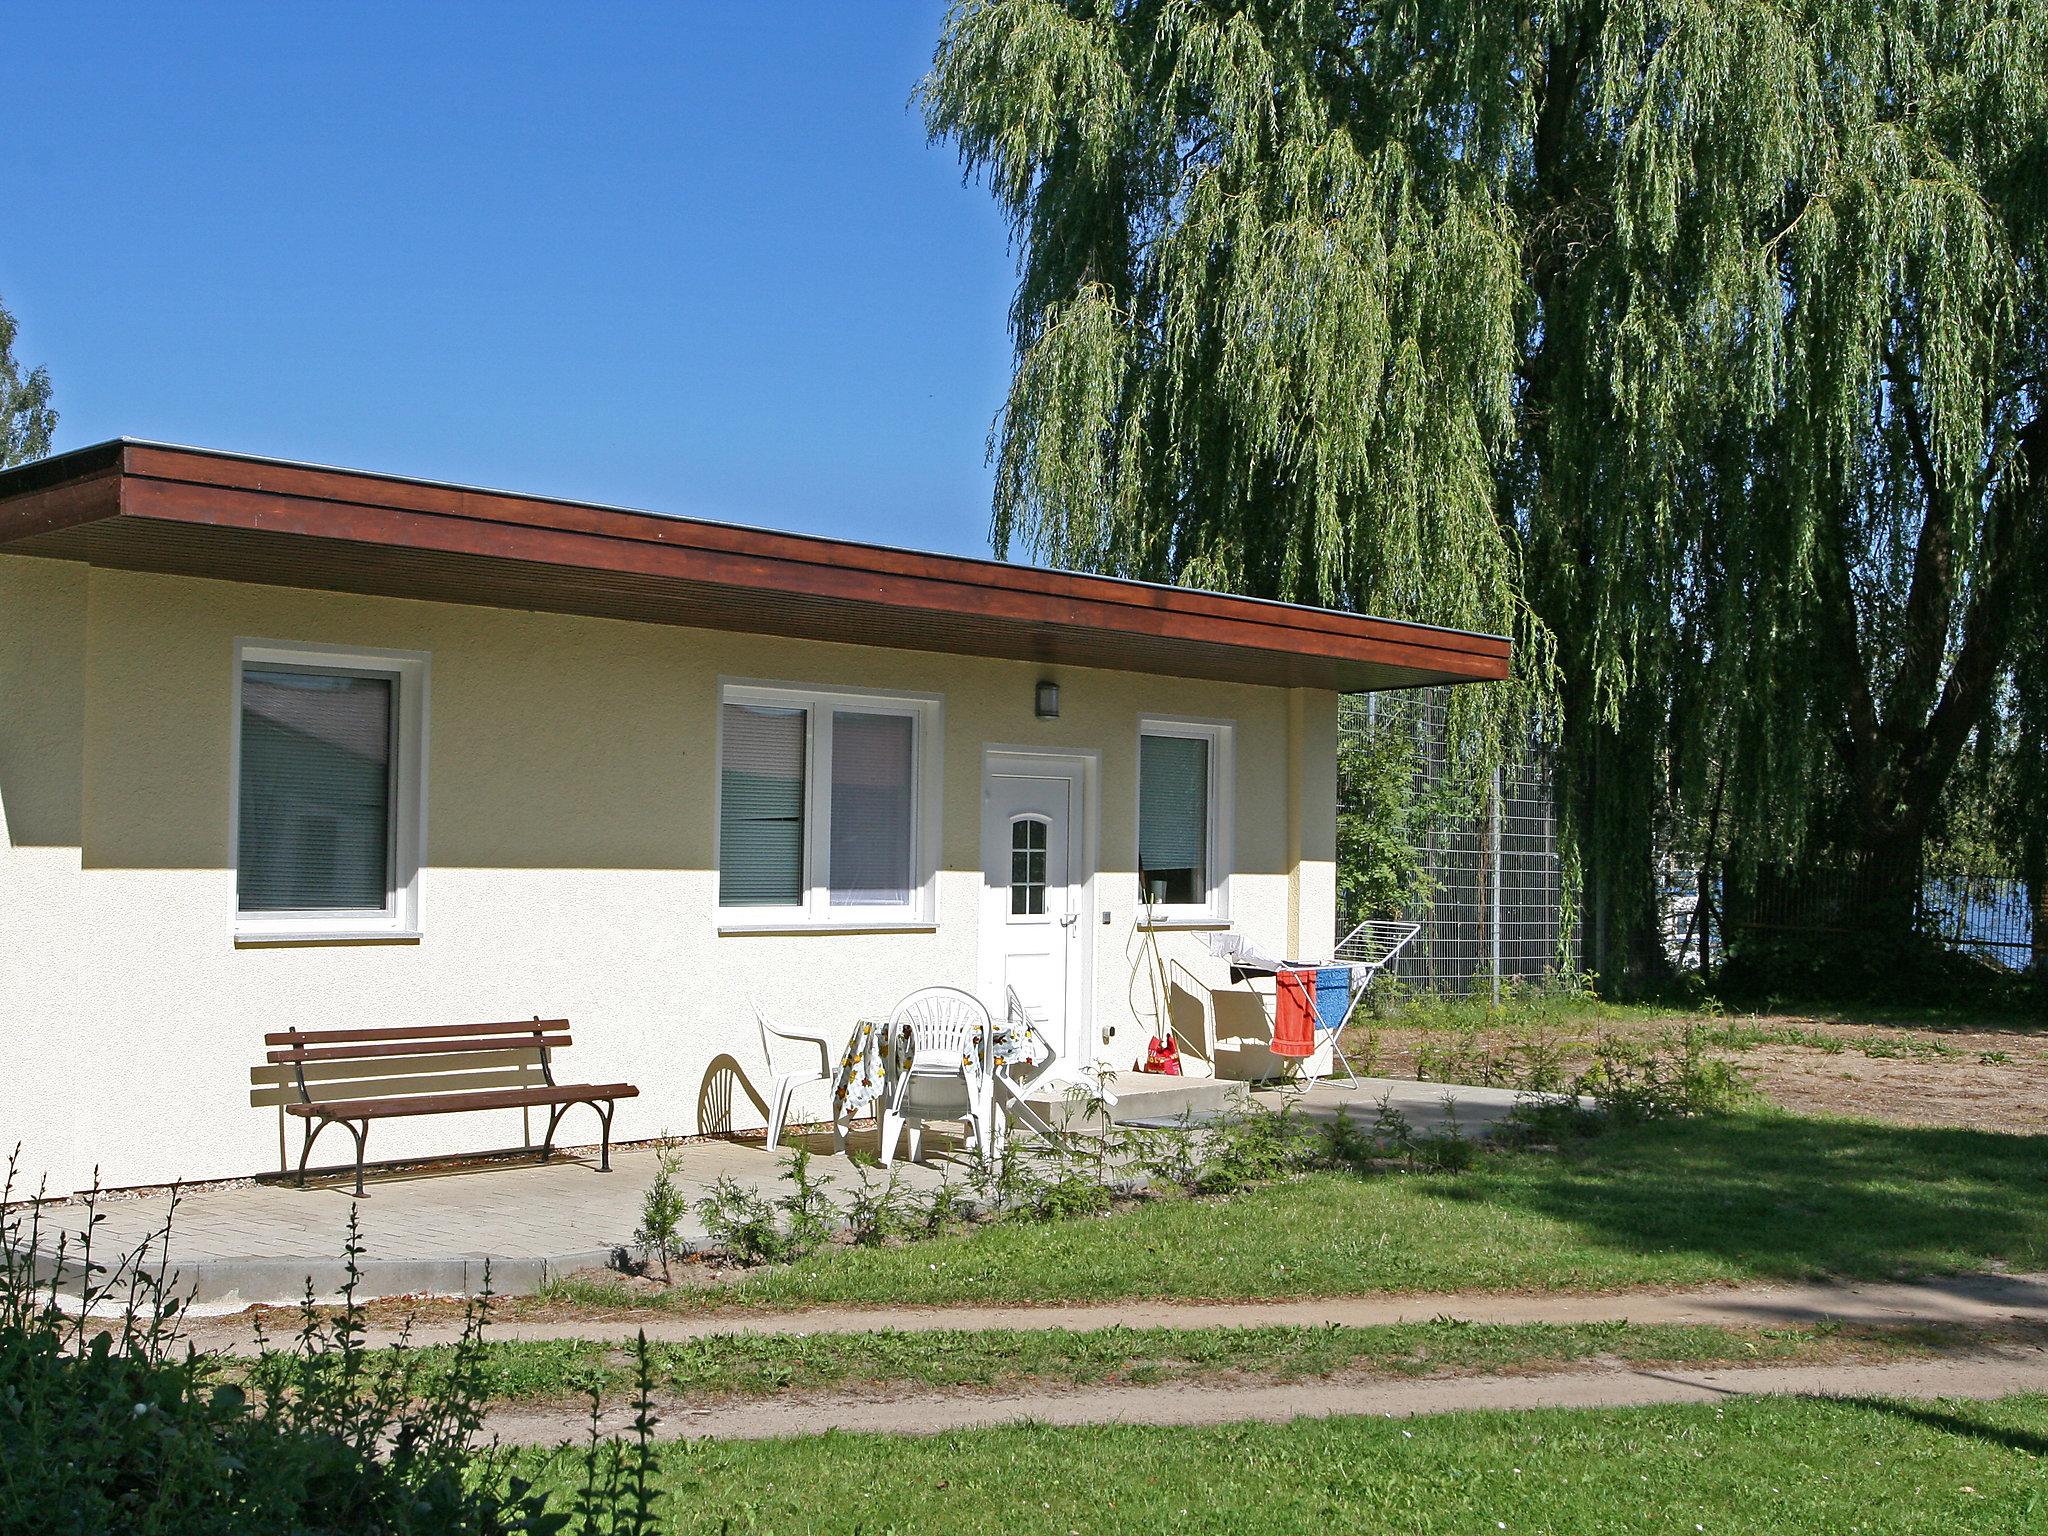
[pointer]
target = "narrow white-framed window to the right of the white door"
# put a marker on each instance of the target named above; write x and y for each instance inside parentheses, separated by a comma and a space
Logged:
(1185, 820)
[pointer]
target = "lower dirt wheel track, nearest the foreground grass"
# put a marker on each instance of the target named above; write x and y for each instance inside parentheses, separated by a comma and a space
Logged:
(1183, 1404)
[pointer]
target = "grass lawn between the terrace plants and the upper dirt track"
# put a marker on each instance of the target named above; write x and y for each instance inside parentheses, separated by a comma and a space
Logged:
(1742, 1197)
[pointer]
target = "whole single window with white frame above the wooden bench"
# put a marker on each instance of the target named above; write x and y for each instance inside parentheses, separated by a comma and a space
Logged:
(329, 787)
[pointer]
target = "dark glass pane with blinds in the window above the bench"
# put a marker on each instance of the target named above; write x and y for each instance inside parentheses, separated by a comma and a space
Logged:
(314, 812)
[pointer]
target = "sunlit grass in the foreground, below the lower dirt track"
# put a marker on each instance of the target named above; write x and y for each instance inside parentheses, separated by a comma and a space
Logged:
(1750, 1465)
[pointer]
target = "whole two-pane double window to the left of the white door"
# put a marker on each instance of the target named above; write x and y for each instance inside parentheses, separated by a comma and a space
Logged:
(824, 808)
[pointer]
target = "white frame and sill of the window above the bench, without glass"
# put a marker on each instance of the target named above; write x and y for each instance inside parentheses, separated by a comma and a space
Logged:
(400, 919)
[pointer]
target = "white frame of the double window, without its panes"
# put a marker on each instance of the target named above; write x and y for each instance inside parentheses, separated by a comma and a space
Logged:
(814, 912)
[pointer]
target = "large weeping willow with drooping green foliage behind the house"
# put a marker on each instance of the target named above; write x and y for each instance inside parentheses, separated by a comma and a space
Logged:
(1697, 345)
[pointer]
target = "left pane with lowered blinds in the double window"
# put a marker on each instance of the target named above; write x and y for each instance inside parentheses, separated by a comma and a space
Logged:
(761, 806)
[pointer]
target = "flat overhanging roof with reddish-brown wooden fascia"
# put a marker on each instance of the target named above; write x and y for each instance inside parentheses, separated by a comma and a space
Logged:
(155, 507)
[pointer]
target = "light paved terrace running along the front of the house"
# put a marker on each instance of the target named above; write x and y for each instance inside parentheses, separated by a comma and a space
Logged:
(433, 1228)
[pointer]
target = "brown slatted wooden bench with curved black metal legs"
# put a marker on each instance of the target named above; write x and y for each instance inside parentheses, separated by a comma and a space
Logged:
(357, 1076)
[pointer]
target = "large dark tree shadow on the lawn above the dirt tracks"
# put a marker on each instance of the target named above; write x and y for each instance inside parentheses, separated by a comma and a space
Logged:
(1791, 1195)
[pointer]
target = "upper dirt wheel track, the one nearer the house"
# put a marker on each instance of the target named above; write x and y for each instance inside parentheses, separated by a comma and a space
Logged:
(1975, 1299)
